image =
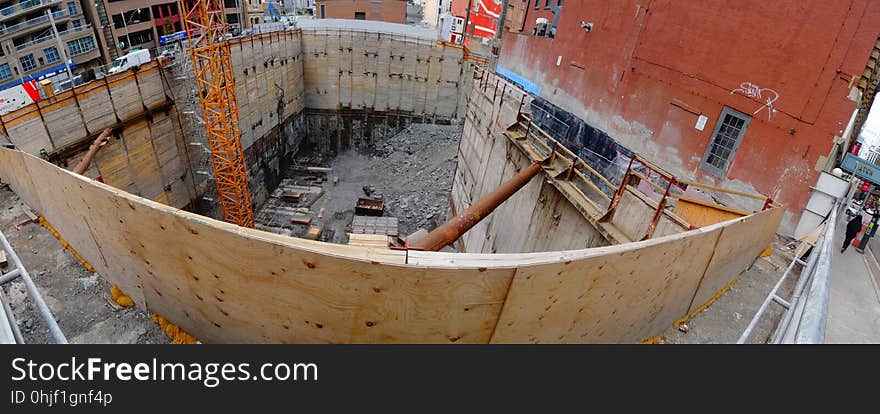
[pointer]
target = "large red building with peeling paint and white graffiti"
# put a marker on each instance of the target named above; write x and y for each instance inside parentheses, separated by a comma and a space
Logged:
(748, 94)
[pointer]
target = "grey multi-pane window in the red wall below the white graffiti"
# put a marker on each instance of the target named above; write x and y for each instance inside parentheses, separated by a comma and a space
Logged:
(728, 134)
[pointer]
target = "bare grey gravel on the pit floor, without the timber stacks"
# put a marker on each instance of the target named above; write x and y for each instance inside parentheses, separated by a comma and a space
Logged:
(410, 171)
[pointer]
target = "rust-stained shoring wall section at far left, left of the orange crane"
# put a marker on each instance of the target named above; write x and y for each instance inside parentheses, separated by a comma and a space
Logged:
(147, 154)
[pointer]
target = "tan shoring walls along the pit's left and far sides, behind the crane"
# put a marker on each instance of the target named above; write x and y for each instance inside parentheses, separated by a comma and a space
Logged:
(359, 87)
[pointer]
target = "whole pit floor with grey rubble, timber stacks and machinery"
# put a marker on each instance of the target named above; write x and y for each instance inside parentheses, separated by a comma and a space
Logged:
(372, 195)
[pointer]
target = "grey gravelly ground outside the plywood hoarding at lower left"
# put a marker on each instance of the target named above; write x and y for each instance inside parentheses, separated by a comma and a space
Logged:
(78, 298)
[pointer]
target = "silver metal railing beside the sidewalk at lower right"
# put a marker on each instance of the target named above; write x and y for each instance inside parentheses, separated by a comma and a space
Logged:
(808, 312)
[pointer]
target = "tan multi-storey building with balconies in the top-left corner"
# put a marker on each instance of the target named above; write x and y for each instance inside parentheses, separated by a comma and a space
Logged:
(29, 49)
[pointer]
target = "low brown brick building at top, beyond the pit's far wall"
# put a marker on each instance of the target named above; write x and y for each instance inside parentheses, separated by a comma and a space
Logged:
(393, 11)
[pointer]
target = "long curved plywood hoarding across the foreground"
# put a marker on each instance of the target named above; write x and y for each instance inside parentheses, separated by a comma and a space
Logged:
(177, 264)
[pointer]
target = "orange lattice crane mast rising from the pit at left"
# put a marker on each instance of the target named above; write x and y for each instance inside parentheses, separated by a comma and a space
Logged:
(205, 25)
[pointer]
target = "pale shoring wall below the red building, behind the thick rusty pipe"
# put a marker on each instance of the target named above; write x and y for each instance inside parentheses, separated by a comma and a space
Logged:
(539, 217)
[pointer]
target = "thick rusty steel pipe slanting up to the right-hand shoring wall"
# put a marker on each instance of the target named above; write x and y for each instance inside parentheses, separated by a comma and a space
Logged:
(453, 229)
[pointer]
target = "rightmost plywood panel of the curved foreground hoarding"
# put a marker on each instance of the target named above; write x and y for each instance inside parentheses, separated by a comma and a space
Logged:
(738, 247)
